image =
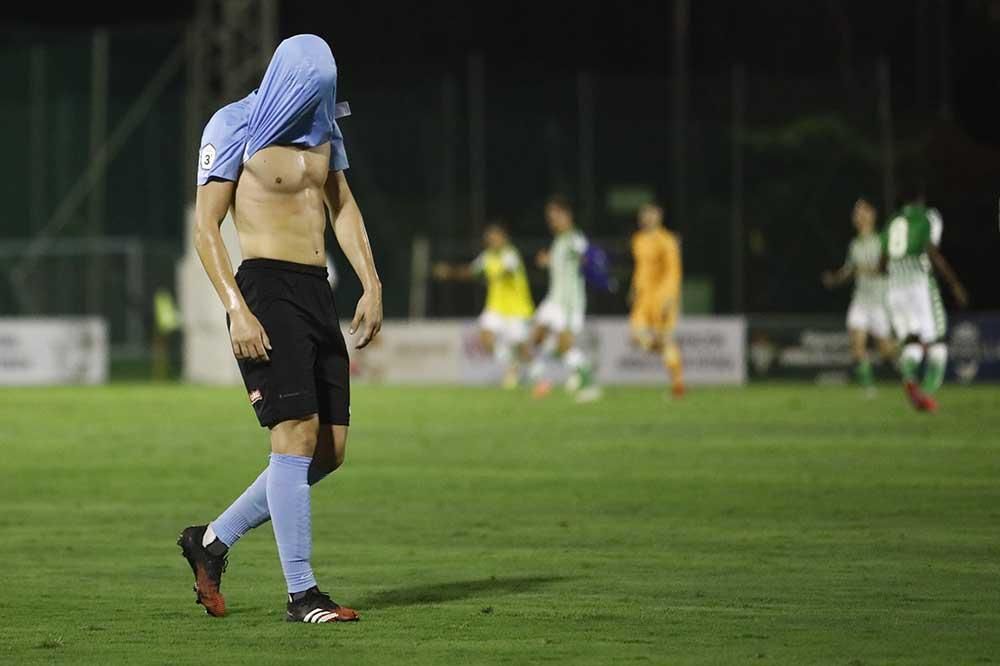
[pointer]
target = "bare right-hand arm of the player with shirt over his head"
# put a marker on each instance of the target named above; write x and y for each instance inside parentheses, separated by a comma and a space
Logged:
(349, 227)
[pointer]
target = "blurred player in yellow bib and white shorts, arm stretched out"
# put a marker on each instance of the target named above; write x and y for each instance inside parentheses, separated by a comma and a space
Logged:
(505, 321)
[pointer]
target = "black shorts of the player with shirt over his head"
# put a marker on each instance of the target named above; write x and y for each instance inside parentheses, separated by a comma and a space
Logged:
(309, 370)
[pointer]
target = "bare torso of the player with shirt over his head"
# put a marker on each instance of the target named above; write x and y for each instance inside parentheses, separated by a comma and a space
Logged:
(278, 208)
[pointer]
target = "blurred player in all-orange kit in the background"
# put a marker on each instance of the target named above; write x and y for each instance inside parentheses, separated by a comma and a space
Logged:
(656, 292)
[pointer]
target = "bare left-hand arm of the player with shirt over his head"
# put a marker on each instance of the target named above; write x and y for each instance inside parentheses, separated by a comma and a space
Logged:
(211, 205)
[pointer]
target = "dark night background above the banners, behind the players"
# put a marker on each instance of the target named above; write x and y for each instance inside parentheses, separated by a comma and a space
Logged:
(811, 143)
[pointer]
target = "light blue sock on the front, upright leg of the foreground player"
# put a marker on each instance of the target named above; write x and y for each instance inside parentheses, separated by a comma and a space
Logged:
(288, 500)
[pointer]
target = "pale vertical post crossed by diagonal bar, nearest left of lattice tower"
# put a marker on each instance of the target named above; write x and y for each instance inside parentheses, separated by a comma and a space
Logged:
(98, 132)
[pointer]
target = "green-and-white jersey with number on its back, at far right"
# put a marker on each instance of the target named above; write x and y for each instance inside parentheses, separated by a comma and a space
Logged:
(905, 241)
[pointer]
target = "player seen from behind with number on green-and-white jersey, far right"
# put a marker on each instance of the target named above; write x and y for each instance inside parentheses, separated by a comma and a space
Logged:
(910, 252)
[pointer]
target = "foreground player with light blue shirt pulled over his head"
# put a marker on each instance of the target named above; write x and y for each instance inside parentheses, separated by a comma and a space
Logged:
(275, 158)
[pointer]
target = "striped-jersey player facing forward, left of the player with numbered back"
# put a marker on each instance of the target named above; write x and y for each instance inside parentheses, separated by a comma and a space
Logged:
(867, 313)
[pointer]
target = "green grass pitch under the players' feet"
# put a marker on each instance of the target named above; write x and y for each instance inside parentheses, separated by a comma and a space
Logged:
(785, 524)
